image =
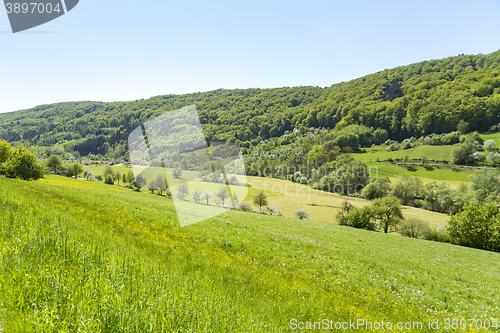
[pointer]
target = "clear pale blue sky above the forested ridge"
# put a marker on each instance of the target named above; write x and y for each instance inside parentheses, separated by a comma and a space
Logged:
(110, 50)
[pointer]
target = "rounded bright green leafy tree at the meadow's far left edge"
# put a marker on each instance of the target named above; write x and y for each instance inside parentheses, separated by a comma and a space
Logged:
(23, 164)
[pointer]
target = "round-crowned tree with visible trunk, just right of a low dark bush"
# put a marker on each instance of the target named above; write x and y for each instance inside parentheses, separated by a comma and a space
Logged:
(387, 211)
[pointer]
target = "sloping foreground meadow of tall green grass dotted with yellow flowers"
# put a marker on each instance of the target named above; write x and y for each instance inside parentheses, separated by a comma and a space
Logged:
(84, 256)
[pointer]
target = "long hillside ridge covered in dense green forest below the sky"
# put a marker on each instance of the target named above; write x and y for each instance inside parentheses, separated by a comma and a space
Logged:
(423, 98)
